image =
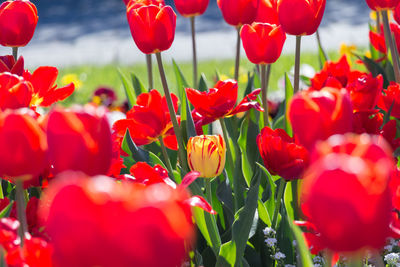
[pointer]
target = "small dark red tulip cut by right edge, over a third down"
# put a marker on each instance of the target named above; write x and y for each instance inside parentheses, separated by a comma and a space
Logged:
(390, 100)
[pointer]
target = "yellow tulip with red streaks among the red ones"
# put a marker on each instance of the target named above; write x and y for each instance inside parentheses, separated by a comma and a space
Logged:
(206, 155)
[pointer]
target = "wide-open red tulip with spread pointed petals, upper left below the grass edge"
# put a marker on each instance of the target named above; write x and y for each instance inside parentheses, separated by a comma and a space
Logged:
(45, 91)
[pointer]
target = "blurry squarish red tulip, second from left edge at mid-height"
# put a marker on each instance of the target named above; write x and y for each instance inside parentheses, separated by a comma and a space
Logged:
(79, 140)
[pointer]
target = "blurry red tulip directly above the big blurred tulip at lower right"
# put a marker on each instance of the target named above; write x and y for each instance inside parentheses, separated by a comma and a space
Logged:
(316, 115)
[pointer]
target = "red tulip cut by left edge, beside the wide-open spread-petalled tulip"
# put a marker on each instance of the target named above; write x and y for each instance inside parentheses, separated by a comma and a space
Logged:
(15, 92)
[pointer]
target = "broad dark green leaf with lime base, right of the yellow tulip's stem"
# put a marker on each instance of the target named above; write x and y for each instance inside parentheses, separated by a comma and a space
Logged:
(232, 252)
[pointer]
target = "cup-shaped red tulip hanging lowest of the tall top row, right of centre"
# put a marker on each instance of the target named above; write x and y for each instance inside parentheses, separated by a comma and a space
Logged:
(262, 42)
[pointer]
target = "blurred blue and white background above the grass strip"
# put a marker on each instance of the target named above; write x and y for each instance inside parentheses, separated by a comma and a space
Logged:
(71, 32)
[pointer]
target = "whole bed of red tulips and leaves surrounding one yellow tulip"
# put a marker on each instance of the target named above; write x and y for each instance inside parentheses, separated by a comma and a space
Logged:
(209, 170)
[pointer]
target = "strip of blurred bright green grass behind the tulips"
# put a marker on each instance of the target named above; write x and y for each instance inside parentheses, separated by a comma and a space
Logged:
(91, 77)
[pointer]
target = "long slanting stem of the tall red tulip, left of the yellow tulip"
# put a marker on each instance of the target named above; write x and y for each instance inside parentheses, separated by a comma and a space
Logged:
(177, 130)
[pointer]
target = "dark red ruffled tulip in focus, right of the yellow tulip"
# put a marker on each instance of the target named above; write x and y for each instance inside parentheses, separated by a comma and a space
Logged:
(281, 155)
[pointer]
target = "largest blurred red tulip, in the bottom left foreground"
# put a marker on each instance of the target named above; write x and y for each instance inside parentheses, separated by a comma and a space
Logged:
(136, 225)
